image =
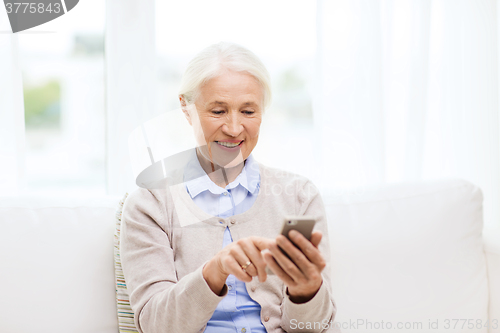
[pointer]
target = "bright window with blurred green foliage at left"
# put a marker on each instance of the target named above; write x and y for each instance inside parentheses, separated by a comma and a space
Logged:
(62, 66)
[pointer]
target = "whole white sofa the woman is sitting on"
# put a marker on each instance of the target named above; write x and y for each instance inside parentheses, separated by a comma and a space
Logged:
(410, 255)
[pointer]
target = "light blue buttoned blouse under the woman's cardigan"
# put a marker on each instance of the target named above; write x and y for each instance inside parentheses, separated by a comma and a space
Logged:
(237, 312)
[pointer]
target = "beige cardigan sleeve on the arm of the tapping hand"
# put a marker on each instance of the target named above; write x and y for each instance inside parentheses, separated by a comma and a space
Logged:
(161, 302)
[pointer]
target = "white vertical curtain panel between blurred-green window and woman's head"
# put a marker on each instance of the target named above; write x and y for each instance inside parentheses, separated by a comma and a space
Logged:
(130, 84)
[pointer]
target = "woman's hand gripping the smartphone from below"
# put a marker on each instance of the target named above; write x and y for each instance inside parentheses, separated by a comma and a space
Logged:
(302, 276)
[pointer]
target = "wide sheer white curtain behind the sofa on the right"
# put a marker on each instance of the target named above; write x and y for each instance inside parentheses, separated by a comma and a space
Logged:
(408, 90)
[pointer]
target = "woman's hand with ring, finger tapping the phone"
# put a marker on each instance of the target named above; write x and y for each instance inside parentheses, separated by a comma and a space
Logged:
(231, 258)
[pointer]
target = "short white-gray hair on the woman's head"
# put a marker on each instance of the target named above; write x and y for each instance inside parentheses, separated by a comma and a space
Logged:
(209, 63)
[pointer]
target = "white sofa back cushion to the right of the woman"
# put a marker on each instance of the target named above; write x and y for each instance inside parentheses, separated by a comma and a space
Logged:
(409, 253)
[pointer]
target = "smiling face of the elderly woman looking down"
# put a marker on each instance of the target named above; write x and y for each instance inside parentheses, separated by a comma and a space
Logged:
(226, 118)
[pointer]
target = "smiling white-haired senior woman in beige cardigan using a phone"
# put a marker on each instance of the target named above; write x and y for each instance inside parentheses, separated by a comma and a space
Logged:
(225, 271)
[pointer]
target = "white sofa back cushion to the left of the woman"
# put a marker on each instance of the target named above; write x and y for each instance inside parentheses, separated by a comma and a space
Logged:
(57, 265)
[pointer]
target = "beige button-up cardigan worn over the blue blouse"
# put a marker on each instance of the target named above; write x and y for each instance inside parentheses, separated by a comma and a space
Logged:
(166, 239)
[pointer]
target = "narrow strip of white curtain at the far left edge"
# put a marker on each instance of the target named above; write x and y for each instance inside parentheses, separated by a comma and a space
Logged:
(12, 140)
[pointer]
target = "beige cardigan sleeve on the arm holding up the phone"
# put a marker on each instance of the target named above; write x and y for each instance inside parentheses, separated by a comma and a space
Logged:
(316, 315)
